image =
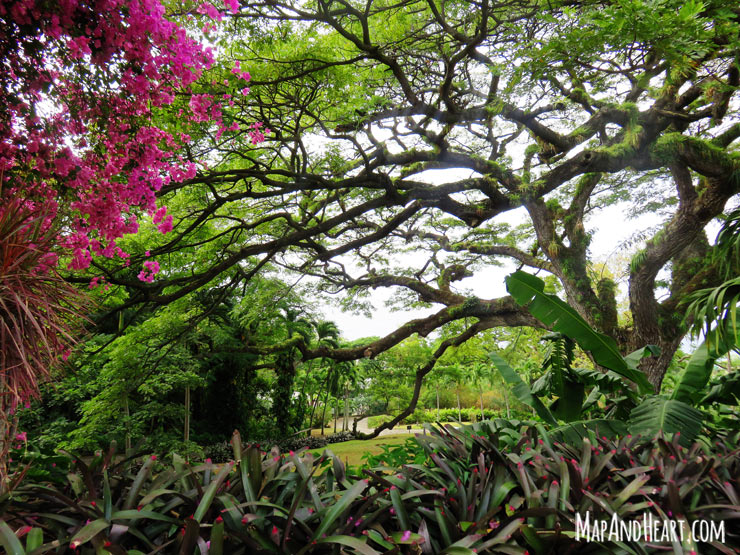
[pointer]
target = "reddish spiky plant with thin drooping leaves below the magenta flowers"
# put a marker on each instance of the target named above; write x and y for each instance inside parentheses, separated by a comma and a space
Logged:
(39, 312)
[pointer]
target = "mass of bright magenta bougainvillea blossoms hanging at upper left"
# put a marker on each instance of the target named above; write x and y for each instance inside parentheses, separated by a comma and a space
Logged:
(96, 69)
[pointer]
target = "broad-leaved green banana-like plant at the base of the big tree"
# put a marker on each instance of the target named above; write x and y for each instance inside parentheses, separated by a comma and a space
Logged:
(646, 415)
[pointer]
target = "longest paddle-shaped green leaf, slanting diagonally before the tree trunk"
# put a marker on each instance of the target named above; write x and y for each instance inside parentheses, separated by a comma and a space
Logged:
(529, 291)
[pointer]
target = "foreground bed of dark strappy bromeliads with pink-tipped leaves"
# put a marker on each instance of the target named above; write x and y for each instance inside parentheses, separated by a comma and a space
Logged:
(498, 488)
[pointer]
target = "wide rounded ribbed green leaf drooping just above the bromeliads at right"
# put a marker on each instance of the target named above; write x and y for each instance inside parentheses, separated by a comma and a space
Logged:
(659, 414)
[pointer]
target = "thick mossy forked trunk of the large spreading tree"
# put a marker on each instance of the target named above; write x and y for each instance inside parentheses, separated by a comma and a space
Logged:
(681, 243)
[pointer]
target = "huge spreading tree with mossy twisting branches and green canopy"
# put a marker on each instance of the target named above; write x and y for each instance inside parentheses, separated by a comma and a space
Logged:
(555, 108)
